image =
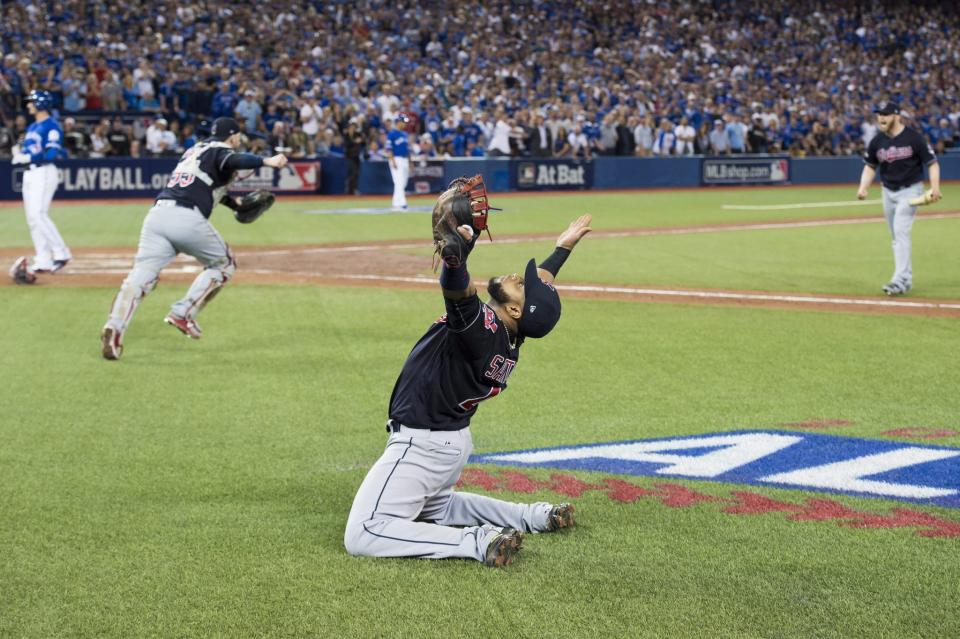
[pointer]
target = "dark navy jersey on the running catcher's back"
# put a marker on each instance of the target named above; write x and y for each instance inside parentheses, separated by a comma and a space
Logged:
(201, 177)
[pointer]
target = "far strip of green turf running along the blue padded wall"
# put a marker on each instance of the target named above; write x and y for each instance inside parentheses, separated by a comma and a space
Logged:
(287, 222)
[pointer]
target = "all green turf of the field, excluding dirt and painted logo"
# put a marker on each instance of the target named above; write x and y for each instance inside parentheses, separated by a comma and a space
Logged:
(200, 488)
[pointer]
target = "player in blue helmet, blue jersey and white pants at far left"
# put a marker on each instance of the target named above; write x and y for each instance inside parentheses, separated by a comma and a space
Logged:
(42, 147)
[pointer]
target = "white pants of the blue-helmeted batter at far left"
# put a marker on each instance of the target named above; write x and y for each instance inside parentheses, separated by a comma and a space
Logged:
(39, 185)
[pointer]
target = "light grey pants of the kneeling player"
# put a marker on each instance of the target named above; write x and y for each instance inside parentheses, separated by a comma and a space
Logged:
(406, 505)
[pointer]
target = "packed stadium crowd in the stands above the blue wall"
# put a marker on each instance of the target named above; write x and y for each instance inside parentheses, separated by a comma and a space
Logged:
(565, 78)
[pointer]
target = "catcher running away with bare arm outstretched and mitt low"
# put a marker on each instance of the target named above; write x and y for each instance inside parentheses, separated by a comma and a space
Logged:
(179, 223)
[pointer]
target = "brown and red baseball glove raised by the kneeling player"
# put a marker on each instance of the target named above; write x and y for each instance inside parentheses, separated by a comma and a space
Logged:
(463, 204)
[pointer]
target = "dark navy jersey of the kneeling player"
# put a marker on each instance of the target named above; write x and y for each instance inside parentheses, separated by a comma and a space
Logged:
(463, 359)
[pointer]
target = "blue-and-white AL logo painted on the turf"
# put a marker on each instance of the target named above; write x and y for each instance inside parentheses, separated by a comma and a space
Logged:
(891, 470)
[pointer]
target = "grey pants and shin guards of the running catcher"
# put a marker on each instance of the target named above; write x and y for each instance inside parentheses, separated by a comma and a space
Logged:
(168, 230)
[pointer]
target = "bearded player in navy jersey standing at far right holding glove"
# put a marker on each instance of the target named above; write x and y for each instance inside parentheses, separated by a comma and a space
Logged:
(899, 153)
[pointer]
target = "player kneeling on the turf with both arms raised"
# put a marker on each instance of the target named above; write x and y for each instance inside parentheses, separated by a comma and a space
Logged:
(407, 505)
